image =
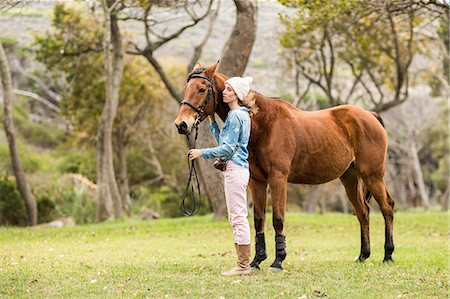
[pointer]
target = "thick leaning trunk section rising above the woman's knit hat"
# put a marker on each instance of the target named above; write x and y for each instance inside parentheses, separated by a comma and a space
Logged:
(240, 43)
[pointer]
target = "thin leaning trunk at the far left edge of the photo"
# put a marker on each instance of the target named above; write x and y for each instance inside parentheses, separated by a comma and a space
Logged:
(8, 123)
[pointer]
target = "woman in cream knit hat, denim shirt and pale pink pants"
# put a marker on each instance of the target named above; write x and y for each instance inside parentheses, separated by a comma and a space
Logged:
(233, 141)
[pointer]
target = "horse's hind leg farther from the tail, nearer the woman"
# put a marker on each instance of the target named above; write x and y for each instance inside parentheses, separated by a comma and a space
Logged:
(350, 181)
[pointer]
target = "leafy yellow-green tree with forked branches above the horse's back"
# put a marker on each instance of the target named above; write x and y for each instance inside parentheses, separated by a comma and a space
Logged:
(371, 41)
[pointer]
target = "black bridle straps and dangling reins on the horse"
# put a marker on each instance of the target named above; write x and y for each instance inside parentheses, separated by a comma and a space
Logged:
(193, 177)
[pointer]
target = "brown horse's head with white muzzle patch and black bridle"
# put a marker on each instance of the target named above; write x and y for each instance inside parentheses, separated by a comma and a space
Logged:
(199, 98)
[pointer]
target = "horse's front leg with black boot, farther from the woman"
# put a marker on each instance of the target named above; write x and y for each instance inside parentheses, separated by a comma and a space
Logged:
(278, 191)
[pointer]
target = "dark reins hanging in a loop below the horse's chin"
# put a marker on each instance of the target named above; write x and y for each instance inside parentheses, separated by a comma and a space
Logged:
(194, 207)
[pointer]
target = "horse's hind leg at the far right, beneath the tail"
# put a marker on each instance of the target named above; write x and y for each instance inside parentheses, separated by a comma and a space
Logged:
(377, 187)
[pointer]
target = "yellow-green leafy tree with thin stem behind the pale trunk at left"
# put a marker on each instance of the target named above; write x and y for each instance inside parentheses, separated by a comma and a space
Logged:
(81, 64)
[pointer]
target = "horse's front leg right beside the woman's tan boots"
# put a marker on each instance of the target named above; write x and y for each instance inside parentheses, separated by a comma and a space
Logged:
(258, 190)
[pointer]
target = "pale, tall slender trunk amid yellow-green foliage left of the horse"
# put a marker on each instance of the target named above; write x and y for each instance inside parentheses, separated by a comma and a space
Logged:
(107, 190)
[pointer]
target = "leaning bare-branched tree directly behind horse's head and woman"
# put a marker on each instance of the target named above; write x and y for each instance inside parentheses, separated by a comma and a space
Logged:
(240, 41)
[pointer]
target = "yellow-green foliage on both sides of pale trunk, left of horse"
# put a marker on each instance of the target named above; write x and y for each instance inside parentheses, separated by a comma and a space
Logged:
(141, 94)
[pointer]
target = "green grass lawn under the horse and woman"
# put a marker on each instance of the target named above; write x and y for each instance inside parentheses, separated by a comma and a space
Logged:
(183, 257)
